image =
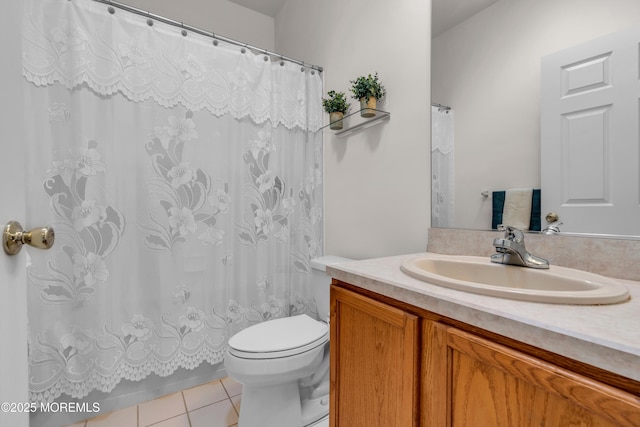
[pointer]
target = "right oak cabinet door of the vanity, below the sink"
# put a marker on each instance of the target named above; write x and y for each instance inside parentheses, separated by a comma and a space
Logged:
(469, 381)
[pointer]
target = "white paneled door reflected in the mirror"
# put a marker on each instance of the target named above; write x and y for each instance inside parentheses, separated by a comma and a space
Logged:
(589, 135)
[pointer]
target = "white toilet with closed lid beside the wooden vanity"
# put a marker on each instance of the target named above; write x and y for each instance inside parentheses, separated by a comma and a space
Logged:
(283, 364)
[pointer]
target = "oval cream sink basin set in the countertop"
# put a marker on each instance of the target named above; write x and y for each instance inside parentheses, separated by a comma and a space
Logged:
(479, 275)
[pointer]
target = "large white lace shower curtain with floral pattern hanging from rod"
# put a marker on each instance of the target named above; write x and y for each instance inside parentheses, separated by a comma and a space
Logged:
(183, 181)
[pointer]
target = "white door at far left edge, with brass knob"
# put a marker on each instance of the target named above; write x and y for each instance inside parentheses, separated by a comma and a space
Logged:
(13, 293)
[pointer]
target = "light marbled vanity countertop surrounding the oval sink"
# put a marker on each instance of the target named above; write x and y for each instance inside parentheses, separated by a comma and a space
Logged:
(605, 336)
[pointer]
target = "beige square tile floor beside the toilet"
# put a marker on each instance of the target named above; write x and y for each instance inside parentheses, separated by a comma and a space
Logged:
(215, 404)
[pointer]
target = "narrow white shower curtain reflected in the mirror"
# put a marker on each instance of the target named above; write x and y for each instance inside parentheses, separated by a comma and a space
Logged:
(442, 167)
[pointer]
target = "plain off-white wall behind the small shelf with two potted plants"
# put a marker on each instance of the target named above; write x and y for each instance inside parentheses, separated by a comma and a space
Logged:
(377, 181)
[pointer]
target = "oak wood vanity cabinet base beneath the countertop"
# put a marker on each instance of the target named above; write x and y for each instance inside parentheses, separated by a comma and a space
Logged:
(450, 377)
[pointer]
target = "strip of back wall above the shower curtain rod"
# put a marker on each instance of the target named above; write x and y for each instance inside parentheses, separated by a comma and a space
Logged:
(217, 16)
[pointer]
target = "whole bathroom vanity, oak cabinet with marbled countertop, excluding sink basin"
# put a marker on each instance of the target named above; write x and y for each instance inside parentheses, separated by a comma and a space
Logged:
(409, 353)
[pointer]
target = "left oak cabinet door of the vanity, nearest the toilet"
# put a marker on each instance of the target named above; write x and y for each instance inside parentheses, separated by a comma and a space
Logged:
(374, 363)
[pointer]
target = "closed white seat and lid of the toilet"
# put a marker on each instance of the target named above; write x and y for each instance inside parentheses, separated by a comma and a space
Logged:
(279, 338)
